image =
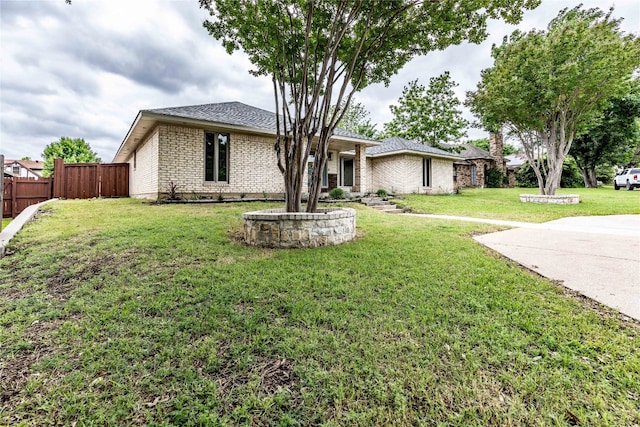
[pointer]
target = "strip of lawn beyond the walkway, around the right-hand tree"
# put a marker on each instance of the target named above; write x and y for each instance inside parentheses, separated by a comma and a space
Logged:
(504, 203)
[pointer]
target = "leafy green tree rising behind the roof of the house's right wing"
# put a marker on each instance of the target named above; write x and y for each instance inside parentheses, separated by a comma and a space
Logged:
(428, 114)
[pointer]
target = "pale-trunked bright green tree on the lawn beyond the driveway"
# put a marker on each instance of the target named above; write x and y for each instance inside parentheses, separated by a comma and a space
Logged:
(547, 86)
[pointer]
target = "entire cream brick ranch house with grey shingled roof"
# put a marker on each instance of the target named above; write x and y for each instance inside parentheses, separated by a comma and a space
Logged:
(228, 149)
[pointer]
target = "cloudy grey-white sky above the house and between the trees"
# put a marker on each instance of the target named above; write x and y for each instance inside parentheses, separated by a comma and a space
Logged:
(86, 70)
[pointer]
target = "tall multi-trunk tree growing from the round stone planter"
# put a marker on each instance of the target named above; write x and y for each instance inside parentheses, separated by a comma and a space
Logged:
(319, 53)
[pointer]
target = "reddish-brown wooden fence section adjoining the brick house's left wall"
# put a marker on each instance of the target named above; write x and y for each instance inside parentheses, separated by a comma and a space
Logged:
(88, 180)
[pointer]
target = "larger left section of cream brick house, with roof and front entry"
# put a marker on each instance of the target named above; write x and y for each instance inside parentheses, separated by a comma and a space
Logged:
(215, 150)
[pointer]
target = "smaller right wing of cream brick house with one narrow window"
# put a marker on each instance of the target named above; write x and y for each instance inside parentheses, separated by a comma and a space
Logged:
(402, 166)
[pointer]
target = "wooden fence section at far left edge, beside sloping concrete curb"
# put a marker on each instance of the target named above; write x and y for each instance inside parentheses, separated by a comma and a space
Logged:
(19, 193)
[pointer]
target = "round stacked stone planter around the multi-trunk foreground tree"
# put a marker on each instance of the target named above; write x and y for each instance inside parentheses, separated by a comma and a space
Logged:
(275, 228)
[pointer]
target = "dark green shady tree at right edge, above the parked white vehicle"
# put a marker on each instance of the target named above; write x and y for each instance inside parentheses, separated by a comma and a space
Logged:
(613, 138)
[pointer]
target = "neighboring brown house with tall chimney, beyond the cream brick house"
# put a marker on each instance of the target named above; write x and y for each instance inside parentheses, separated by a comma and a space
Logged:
(472, 170)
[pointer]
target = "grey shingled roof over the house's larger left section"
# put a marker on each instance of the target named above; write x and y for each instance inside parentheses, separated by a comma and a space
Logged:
(236, 113)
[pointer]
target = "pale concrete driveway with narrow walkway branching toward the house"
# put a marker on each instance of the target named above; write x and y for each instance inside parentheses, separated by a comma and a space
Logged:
(597, 256)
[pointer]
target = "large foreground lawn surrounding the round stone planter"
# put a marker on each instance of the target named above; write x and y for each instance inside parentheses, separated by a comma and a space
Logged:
(116, 312)
